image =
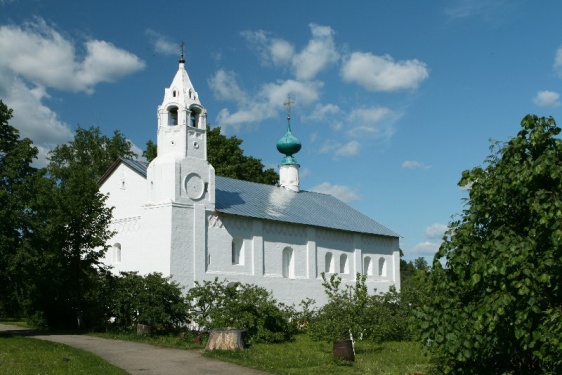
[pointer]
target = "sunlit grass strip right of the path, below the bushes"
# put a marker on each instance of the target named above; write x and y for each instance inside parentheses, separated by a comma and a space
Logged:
(304, 356)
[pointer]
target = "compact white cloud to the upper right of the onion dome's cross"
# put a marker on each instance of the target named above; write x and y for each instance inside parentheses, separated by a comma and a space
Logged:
(382, 73)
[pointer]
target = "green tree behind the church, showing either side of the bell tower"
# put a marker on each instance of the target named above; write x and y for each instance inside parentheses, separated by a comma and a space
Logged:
(228, 159)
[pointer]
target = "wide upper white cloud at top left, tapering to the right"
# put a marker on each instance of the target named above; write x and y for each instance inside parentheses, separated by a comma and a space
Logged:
(43, 56)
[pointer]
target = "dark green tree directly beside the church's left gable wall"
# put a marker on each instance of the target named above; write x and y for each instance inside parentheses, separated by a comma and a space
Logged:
(70, 233)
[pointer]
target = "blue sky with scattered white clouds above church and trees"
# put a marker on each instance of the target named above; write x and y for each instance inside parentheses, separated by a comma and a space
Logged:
(393, 99)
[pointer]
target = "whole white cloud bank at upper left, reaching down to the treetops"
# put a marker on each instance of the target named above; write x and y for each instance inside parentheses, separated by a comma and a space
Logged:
(35, 57)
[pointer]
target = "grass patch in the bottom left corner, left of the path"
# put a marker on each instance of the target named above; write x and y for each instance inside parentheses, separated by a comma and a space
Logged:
(23, 355)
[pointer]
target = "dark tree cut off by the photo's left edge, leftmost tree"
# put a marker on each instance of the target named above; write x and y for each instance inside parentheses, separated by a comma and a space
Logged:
(16, 189)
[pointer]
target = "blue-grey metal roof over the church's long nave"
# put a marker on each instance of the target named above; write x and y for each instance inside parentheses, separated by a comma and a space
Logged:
(268, 202)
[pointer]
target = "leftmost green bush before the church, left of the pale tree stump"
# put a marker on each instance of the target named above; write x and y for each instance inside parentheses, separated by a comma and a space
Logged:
(150, 299)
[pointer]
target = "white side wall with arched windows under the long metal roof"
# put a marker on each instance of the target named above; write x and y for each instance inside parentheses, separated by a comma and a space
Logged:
(262, 263)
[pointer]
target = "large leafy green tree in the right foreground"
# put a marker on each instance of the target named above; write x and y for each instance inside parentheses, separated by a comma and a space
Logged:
(496, 305)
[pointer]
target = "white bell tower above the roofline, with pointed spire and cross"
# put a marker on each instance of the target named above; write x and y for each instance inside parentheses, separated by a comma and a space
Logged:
(180, 172)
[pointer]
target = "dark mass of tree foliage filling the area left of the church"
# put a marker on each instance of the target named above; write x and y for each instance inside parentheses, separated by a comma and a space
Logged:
(53, 227)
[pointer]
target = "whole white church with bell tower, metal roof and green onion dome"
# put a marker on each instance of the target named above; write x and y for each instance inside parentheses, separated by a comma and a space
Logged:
(174, 216)
